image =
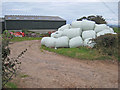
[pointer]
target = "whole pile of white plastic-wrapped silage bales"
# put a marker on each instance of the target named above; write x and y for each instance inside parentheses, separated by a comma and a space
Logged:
(77, 34)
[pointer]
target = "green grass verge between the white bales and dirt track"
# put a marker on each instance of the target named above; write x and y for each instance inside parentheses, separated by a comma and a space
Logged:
(82, 53)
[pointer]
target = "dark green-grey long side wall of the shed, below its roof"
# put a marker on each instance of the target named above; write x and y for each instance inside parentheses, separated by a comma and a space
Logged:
(32, 24)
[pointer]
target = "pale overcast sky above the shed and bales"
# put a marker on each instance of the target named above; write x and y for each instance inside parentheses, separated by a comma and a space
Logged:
(70, 11)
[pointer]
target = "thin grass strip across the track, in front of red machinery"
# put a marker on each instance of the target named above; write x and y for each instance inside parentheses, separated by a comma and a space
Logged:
(17, 39)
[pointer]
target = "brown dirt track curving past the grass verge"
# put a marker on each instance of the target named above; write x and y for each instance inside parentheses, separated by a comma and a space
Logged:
(49, 70)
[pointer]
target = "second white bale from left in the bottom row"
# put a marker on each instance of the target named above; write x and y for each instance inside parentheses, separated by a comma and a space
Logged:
(62, 42)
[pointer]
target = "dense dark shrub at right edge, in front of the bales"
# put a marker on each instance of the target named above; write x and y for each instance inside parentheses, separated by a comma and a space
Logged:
(107, 44)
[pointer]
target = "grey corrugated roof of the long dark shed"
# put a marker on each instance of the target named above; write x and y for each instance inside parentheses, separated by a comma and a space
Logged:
(27, 17)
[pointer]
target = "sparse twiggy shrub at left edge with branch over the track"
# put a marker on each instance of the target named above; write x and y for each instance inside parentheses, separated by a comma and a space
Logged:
(9, 65)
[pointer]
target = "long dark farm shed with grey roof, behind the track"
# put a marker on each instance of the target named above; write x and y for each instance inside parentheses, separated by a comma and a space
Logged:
(20, 22)
